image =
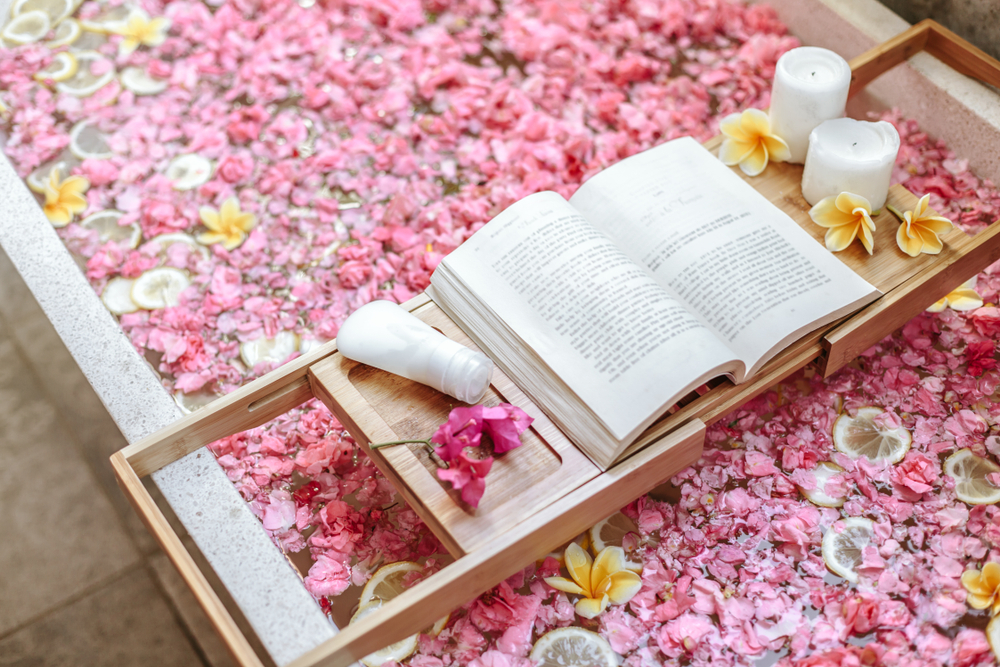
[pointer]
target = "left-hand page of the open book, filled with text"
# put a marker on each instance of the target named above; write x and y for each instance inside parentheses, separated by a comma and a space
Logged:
(603, 325)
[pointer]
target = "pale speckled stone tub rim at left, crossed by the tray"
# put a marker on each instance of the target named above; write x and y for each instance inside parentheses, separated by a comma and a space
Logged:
(267, 589)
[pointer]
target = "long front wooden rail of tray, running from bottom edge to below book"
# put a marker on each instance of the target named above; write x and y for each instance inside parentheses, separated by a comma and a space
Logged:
(479, 571)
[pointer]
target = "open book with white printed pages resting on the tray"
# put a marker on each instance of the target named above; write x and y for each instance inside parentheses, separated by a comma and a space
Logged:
(660, 273)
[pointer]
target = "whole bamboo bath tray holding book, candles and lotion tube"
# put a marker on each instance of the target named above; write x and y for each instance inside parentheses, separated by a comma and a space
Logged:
(545, 493)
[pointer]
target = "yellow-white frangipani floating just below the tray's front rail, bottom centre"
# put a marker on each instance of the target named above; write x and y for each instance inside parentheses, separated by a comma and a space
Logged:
(600, 581)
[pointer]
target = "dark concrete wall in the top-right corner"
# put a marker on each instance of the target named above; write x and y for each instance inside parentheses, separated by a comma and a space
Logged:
(976, 20)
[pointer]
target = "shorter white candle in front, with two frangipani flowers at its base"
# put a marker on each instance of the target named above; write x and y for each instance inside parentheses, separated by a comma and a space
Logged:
(847, 155)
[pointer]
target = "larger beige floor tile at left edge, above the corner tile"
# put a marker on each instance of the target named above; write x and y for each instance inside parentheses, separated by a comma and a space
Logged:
(60, 534)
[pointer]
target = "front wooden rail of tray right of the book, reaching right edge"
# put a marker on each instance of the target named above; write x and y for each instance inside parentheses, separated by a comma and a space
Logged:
(897, 307)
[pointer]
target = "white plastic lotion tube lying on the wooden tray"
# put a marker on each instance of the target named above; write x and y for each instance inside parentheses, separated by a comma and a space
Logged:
(383, 335)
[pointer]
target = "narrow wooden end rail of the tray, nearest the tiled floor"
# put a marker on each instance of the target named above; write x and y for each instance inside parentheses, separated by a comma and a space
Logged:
(160, 528)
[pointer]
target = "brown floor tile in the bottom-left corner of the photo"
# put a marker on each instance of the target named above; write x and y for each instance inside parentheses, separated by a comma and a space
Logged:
(122, 624)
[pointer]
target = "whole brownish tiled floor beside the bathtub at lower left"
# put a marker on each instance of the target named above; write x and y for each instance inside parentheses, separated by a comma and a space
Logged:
(81, 581)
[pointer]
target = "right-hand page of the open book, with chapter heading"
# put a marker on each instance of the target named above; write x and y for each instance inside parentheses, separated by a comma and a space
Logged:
(745, 268)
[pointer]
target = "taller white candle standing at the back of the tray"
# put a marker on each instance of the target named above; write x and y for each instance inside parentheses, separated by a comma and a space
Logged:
(810, 86)
